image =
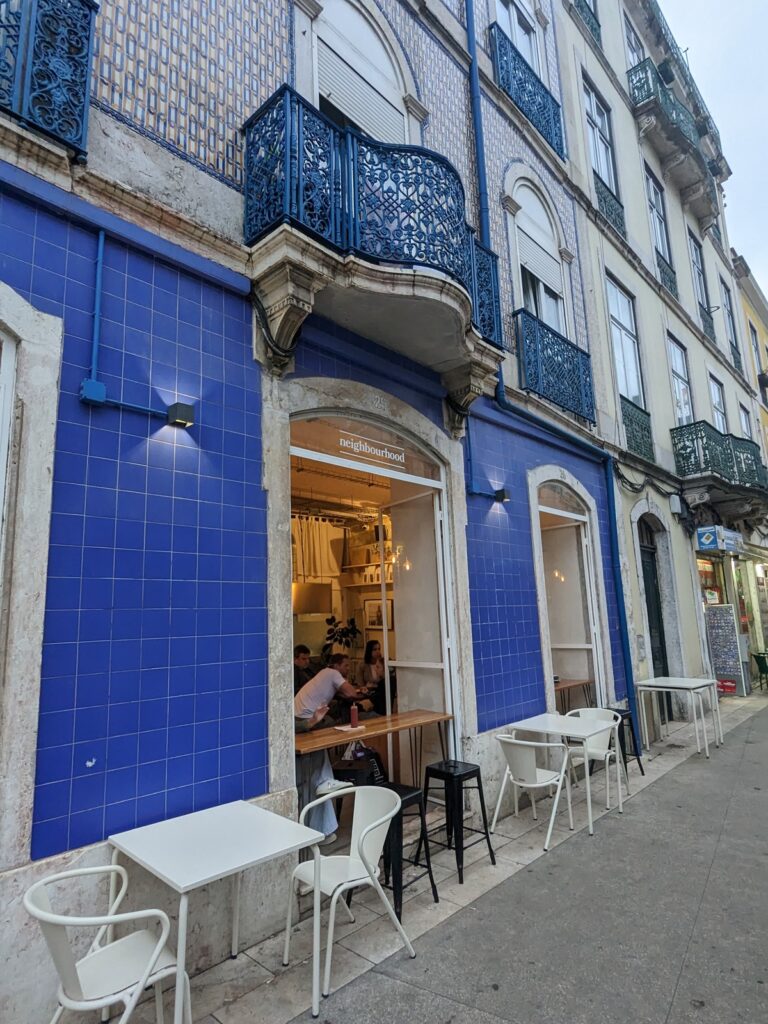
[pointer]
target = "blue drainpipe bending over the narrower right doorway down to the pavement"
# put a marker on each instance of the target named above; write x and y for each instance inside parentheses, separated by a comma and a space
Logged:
(596, 455)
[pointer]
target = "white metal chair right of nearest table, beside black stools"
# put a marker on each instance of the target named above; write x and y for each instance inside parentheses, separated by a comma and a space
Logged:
(374, 808)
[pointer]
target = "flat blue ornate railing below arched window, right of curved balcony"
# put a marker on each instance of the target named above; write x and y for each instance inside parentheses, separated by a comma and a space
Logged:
(553, 367)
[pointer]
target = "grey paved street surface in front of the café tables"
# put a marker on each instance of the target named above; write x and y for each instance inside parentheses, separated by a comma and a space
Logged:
(662, 918)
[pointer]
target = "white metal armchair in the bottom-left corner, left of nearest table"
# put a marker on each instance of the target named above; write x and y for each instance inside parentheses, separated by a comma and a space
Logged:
(112, 972)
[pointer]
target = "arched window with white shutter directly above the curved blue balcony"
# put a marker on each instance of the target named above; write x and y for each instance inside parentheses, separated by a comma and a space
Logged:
(359, 82)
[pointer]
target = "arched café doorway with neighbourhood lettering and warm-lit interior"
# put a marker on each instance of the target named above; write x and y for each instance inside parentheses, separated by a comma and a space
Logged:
(369, 545)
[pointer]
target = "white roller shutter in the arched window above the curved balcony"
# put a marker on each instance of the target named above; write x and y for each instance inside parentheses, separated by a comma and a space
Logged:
(349, 92)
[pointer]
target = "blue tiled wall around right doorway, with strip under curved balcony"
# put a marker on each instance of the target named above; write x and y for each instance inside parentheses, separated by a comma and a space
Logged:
(506, 642)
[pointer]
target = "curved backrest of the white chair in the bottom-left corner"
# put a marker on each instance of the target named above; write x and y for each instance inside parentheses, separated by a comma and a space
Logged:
(55, 926)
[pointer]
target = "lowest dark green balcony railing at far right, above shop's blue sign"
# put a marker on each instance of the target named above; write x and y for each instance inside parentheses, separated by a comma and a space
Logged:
(701, 450)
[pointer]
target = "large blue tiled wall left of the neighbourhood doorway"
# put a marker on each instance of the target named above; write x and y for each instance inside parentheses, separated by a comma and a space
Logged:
(154, 677)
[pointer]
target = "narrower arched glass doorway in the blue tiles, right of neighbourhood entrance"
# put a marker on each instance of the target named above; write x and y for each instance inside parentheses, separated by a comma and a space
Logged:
(572, 607)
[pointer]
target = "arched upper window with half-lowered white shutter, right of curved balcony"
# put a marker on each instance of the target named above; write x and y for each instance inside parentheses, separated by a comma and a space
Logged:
(538, 251)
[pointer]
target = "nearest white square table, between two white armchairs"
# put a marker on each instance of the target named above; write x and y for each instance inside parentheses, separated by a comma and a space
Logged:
(221, 842)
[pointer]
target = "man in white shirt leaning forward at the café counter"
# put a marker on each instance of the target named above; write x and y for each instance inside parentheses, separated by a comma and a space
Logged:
(314, 771)
